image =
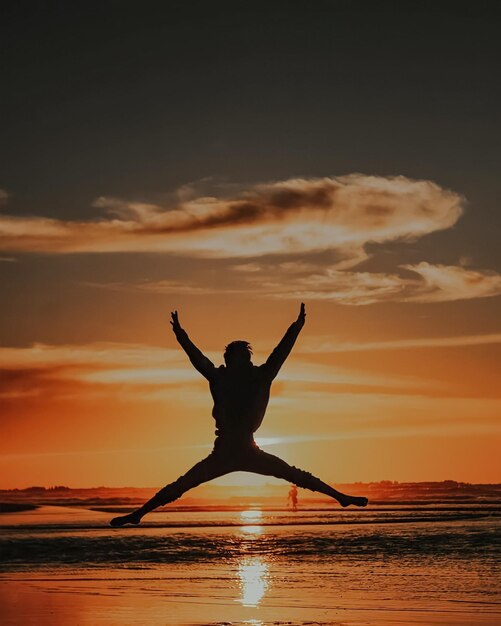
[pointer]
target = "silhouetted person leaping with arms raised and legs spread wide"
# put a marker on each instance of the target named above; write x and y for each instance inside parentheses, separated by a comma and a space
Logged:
(241, 391)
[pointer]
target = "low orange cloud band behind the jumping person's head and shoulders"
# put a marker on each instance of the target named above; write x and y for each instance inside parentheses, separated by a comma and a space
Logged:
(42, 369)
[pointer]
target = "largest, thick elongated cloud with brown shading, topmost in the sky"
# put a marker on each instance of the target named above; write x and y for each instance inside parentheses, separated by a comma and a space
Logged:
(296, 216)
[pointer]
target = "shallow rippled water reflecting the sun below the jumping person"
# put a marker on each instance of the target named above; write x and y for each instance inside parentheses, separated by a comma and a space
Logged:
(382, 565)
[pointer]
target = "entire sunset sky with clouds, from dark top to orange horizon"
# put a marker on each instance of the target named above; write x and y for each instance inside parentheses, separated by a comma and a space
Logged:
(230, 160)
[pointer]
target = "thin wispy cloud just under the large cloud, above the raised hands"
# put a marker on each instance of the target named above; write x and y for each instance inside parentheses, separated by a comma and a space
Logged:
(307, 281)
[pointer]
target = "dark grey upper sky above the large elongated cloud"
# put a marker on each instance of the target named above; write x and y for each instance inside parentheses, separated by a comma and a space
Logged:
(137, 98)
